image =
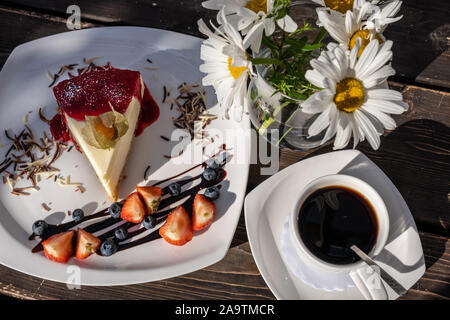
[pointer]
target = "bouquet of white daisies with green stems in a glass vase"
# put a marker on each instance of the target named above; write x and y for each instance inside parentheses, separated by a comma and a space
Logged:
(299, 91)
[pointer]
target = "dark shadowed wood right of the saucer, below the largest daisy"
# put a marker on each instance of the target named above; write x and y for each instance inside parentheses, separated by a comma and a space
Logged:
(416, 158)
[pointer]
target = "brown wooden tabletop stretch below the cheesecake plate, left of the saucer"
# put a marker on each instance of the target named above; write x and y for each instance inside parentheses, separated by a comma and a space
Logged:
(235, 277)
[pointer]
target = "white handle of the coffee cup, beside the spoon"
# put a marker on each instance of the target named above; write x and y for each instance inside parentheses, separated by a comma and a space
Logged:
(369, 283)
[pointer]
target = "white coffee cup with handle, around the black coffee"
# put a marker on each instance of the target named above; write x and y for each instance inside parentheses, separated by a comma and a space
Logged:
(359, 271)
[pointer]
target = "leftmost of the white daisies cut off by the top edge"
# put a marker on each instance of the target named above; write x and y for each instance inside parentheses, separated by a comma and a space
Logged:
(253, 18)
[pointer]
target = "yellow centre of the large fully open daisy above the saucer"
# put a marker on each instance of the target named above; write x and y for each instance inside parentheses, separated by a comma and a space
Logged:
(349, 95)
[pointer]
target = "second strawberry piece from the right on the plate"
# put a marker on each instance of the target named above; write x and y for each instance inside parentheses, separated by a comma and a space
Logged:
(177, 229)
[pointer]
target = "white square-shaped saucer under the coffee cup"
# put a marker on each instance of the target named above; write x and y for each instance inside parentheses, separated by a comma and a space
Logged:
(266, 212)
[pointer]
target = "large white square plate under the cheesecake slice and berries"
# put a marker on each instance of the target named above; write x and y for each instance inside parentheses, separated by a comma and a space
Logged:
(24, 88)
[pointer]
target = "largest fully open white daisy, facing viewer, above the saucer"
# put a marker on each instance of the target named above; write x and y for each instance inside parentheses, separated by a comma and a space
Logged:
(354, 100)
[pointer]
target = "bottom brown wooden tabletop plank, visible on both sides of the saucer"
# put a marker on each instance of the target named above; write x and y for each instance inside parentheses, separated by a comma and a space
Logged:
(235, 277)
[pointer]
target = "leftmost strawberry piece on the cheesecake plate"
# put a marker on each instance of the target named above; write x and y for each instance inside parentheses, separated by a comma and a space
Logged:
(59, 247)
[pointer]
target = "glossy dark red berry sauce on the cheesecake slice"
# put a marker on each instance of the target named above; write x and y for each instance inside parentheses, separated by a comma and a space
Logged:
(93, 93)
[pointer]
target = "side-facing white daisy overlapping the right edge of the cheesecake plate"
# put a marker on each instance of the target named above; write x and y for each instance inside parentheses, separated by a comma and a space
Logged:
(226, 66)
